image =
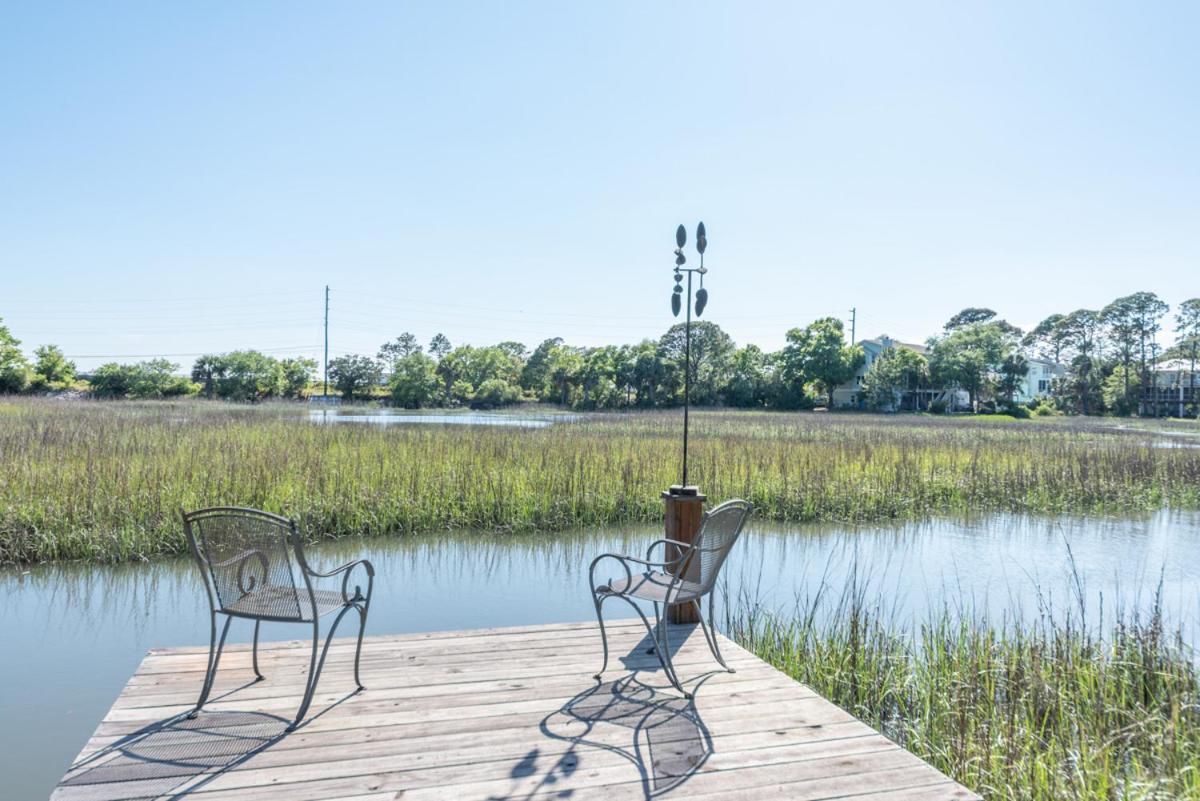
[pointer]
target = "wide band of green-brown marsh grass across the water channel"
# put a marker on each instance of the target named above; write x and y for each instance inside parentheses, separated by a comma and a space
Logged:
(106, 481)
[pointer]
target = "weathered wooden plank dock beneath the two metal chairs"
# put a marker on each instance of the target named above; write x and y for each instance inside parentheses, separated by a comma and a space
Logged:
(489, 714)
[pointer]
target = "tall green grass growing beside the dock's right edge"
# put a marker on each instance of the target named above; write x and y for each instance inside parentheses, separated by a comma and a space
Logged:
(1043, 712)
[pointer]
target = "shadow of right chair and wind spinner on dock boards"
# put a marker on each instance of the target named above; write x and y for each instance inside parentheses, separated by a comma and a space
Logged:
(651, 727)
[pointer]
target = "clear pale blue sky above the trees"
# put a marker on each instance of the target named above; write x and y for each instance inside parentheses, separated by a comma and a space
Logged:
(184, 178)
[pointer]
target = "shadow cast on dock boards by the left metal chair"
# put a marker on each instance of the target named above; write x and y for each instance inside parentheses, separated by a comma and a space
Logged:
(178, 756)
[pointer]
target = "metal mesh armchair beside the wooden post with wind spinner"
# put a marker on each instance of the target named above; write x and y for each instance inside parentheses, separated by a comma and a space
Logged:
(686, 577)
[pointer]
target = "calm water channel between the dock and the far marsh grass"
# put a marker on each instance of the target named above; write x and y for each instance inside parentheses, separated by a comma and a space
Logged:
(74, 635)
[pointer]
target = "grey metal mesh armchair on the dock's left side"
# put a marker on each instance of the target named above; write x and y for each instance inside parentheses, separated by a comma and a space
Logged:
(250, 562)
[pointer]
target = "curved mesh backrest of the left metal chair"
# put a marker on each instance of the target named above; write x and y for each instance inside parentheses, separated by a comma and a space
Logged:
(247, 558)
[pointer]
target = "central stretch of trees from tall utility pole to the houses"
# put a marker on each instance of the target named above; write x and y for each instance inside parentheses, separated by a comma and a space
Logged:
(647, 375)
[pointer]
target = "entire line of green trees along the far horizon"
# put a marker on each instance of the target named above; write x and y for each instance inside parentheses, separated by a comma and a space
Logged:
(1108, 356)
